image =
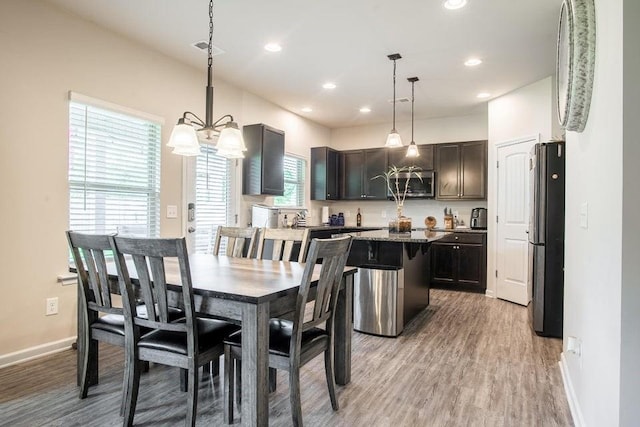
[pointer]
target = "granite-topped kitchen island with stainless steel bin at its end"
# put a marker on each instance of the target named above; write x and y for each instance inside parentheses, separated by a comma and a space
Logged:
(392, 284)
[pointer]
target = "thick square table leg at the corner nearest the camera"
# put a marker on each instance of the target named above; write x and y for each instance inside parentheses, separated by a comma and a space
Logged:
(255, 365)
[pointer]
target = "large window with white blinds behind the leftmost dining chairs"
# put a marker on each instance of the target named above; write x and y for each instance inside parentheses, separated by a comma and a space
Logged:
(114, 170)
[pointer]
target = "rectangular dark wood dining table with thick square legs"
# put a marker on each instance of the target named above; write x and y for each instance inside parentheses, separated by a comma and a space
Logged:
(250, 292)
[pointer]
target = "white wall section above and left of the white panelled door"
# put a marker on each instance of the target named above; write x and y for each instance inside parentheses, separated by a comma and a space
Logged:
(524, 112)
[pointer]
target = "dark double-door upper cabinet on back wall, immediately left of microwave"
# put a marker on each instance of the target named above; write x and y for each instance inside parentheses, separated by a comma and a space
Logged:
(357, 169)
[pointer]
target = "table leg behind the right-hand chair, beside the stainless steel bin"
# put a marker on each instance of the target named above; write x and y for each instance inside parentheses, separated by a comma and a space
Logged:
(343, 331)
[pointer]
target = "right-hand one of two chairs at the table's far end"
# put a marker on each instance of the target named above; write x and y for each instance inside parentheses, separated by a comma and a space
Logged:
(282, 241)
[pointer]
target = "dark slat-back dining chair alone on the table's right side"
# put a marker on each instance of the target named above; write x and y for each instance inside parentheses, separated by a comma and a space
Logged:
(294, 343)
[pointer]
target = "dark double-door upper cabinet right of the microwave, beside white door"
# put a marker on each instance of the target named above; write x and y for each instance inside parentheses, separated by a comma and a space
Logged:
(461, 170)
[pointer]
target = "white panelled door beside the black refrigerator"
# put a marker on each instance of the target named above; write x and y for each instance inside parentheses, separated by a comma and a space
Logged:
(513, 221)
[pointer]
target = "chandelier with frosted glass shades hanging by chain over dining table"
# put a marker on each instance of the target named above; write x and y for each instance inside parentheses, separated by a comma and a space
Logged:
(184, 138)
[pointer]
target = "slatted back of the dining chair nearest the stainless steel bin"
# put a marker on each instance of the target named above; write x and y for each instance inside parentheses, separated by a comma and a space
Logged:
(334, 254)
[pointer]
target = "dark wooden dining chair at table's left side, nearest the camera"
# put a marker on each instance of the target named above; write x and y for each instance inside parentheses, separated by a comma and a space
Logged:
(187, 343)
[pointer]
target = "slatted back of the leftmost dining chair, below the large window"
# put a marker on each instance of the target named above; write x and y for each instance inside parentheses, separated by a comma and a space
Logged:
(89, 253)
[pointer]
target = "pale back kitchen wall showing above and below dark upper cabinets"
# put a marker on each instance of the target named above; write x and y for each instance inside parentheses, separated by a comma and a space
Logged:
(433, 131)
